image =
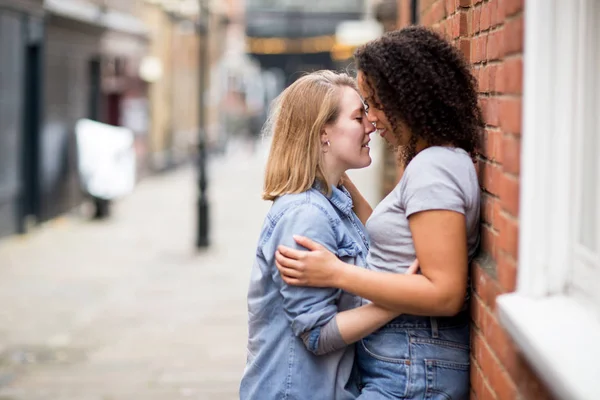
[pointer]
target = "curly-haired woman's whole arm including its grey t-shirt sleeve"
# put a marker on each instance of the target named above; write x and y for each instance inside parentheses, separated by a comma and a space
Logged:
(435, 207)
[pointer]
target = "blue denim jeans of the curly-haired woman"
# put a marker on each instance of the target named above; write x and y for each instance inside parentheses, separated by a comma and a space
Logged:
(416, 358)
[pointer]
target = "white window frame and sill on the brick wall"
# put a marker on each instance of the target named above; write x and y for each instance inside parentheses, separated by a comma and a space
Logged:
(554, 328)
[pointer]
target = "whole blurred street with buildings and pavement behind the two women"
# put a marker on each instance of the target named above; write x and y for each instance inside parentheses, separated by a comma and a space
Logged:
(131, 163)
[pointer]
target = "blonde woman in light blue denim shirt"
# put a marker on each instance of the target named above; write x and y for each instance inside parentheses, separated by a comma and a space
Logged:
(298, 344)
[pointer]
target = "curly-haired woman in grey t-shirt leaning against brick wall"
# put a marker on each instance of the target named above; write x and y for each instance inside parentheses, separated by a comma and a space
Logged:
(422, 99)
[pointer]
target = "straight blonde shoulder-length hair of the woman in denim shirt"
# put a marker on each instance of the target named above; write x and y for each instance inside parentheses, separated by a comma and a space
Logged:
(298, 117)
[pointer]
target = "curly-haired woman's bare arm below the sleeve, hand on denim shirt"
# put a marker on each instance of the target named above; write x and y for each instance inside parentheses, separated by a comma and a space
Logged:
(440, 244)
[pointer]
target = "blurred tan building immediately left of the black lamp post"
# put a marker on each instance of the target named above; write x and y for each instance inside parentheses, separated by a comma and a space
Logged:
(172, 69)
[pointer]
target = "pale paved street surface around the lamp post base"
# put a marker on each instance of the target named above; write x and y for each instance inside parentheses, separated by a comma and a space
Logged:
(126, 309)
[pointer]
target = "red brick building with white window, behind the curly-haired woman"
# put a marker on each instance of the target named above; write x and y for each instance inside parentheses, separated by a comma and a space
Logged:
(536, 301)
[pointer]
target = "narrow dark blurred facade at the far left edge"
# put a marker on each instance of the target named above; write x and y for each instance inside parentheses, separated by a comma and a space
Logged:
(21, 44)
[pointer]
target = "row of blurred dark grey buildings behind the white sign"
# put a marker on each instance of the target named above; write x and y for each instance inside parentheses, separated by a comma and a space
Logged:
(61, 60)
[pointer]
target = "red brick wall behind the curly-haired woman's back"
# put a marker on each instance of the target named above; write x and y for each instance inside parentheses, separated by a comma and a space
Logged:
(490, 35)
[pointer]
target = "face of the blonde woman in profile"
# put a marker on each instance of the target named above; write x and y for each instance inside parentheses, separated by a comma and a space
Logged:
(348, 136)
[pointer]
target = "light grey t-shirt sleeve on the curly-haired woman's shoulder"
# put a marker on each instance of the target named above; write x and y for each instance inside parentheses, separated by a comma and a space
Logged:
(433, 184)
